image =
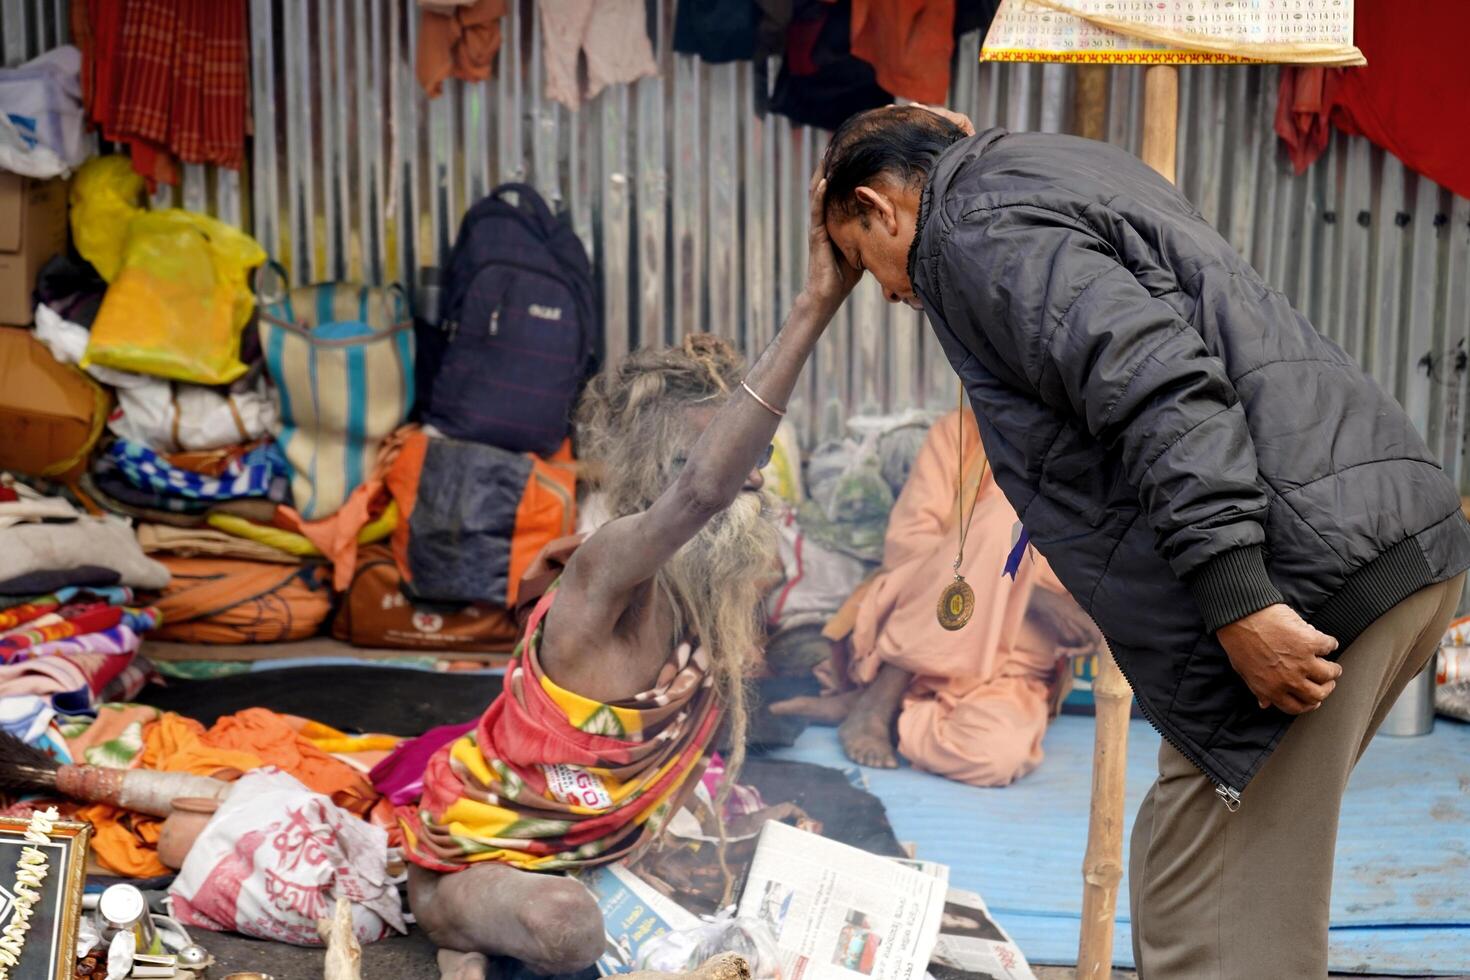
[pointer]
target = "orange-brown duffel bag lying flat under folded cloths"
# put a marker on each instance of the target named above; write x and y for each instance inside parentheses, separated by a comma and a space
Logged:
(234, 602)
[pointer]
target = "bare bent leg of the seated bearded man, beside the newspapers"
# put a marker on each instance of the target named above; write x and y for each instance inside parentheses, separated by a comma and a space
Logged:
(548, 922)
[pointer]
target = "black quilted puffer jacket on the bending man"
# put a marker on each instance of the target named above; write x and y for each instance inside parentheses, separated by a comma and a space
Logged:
(1181, 444)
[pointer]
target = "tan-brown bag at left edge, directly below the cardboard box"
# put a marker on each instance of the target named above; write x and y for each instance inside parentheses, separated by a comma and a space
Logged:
(51, 414)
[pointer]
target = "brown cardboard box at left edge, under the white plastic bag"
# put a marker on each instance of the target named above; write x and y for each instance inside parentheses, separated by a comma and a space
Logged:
(33, 228)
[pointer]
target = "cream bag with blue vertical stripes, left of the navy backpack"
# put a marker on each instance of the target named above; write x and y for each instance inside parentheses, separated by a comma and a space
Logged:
(342, 356)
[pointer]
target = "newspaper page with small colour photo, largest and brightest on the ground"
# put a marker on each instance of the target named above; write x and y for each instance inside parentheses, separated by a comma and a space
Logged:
(839, 912)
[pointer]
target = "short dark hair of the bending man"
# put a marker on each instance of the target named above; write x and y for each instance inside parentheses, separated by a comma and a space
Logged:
(899, 142)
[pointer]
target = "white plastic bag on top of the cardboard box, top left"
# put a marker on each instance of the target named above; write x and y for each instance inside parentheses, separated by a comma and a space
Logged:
(42, 130)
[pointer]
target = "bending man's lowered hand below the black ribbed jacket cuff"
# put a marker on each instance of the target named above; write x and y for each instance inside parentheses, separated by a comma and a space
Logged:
(1281, 659)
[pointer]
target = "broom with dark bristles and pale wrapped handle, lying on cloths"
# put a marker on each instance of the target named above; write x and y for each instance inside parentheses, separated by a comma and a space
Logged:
(26, 769)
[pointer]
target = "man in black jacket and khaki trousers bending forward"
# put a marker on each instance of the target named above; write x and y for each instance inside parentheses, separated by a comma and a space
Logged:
(1268, 544)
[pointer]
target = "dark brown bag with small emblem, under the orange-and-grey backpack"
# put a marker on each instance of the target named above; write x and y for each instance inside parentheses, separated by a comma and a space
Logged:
(377, 613)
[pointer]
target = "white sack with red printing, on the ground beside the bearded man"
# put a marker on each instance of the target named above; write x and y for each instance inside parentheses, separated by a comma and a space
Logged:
(274, 860)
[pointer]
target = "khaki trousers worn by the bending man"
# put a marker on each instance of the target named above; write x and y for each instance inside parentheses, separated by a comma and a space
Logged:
(1244, 897)
